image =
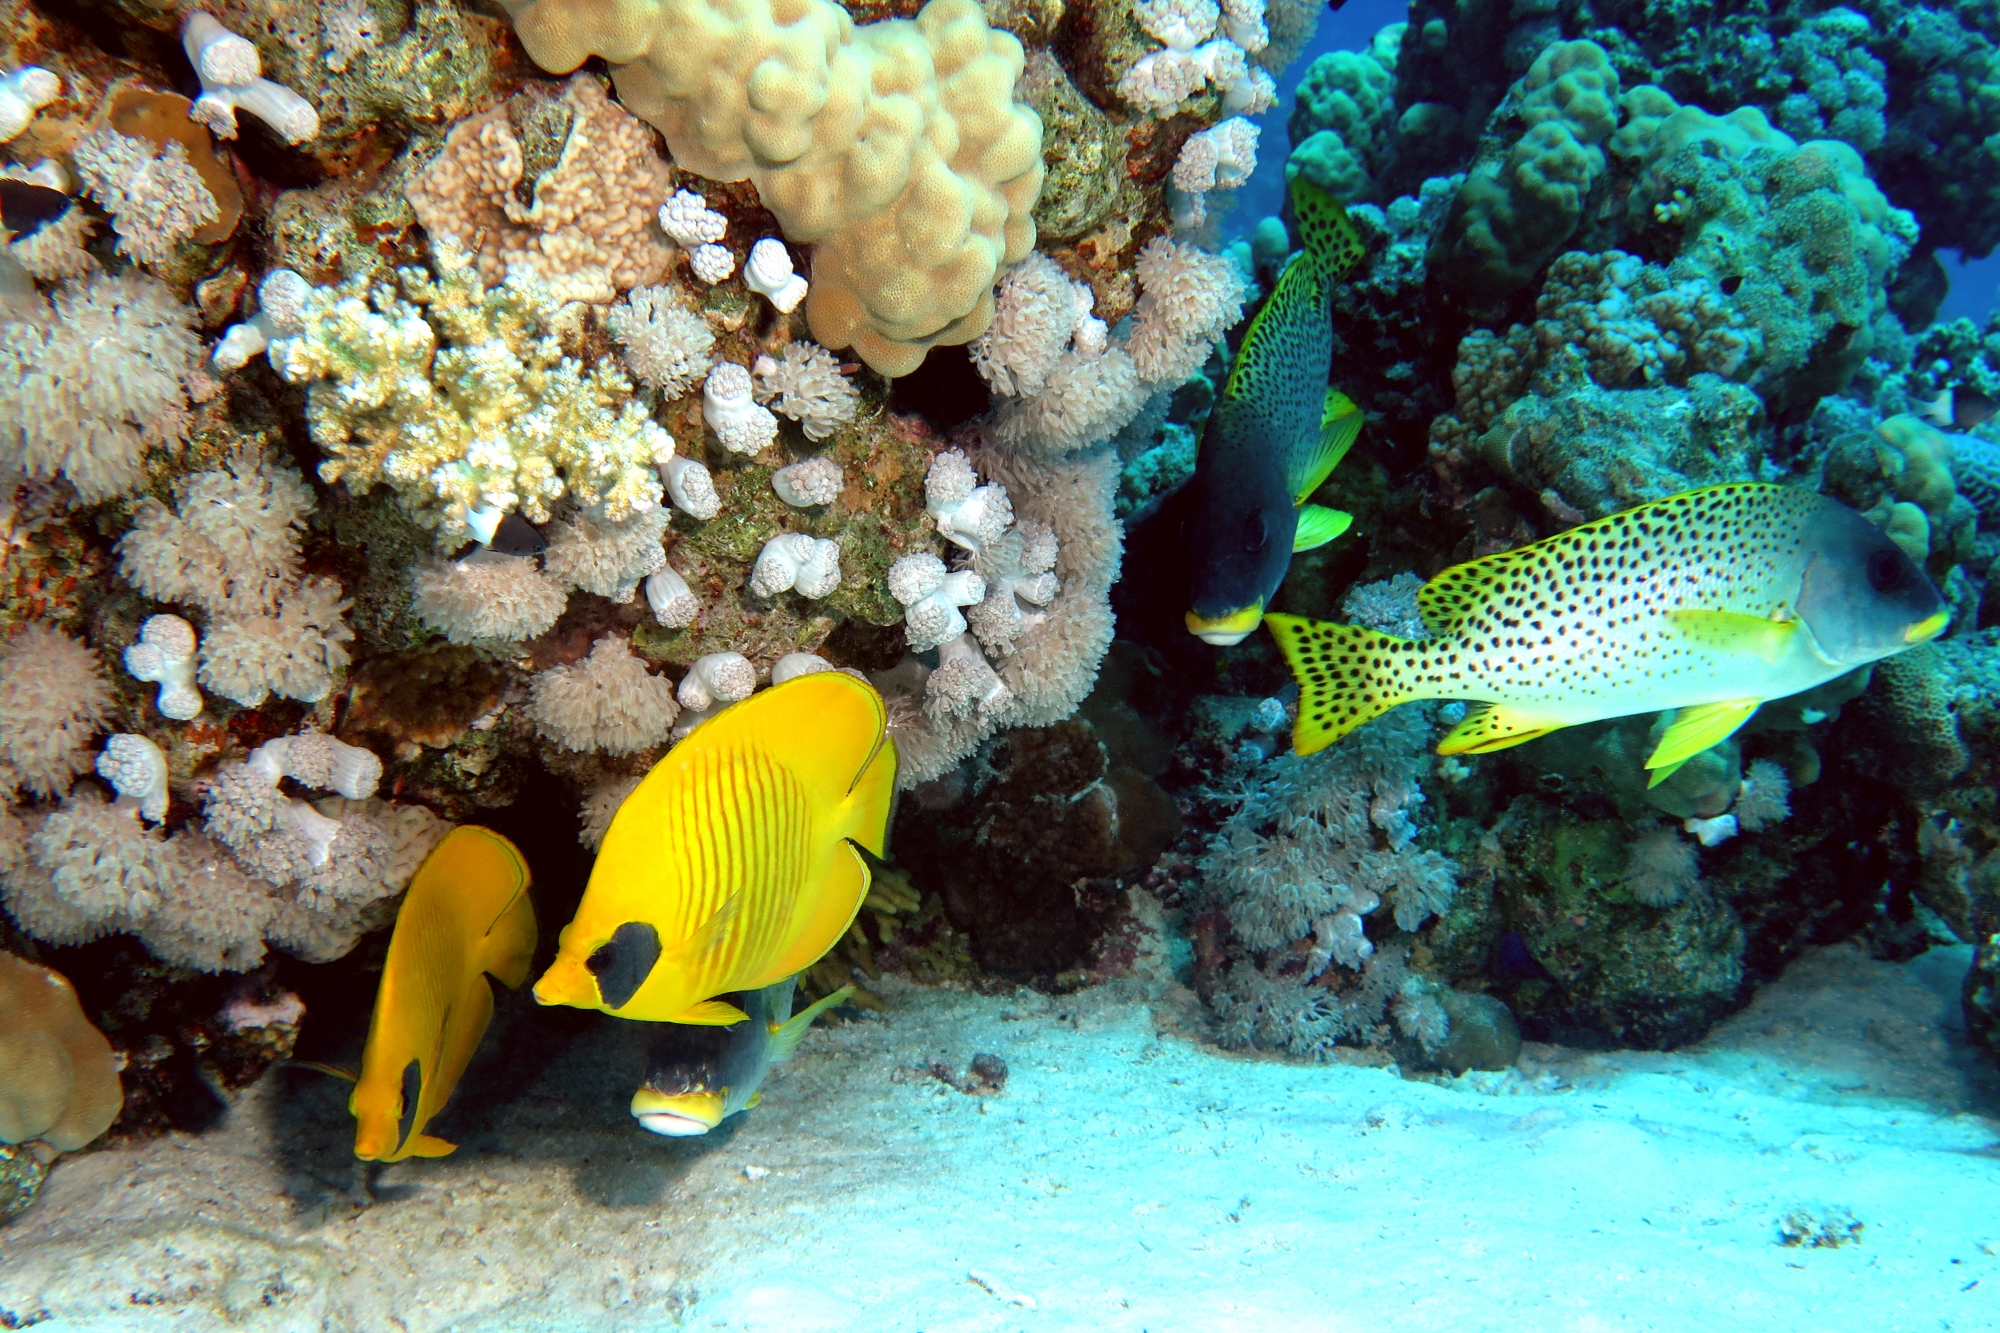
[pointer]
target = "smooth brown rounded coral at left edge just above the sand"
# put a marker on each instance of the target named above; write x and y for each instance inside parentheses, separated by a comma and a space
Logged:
(59, 1080)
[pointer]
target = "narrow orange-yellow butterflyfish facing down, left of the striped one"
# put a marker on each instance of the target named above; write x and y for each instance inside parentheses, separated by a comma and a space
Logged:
(467, 916)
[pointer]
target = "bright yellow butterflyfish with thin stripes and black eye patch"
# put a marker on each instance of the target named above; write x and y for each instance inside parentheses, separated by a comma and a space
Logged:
(735, 864)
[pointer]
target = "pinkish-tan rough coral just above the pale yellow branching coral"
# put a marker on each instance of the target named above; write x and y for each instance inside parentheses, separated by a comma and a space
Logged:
(589, 231)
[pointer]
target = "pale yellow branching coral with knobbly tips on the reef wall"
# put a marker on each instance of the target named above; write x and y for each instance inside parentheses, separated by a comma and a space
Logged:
(463, 399)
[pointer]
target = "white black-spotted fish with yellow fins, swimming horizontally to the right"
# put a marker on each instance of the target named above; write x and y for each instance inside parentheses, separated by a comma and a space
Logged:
(1711, 601)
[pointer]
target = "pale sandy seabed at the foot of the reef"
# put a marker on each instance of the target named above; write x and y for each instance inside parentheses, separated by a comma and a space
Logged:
(1127, 1178)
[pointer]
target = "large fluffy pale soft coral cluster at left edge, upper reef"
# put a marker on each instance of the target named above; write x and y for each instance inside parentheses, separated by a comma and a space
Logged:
(93, 379)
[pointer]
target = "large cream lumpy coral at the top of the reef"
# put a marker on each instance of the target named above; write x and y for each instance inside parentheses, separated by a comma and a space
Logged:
(895, 147)
